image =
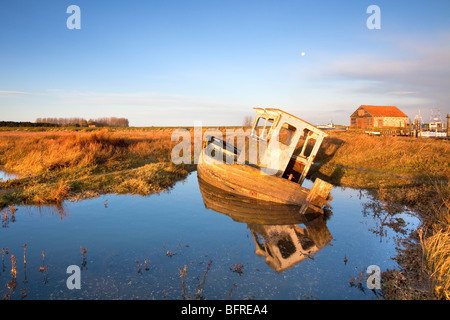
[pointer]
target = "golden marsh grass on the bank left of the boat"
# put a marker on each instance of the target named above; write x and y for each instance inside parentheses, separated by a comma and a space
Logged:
(57, 165)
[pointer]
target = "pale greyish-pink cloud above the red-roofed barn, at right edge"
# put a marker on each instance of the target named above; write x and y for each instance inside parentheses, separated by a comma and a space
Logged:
(422, 69)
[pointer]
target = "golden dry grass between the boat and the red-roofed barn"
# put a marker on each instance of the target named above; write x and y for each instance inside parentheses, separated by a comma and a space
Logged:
(358, 160)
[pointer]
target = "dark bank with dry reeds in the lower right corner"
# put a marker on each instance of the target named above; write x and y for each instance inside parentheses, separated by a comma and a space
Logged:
(416, 279)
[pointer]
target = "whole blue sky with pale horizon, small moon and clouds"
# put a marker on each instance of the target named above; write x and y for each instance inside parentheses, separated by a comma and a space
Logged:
(181, 62)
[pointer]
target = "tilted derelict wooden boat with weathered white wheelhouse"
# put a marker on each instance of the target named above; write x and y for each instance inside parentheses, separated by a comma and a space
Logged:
(271, 165)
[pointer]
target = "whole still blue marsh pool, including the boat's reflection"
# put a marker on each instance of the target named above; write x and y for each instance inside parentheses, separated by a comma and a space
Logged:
(134, 247)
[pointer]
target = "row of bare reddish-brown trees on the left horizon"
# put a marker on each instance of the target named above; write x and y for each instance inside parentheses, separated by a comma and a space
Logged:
(81, 122)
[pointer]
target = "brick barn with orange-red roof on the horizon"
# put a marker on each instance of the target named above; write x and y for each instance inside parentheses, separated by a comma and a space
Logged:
(378, 117)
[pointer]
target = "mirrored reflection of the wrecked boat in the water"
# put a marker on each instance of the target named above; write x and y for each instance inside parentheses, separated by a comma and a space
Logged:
(283, 234)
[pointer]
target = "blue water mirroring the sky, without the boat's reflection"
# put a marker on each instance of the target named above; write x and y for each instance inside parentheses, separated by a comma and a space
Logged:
(126, 229)
